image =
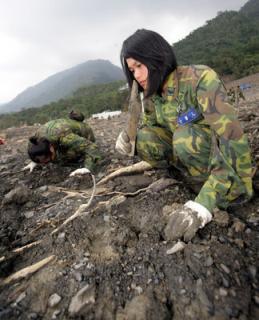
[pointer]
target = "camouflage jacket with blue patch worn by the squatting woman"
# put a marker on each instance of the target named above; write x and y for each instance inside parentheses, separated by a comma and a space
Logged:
(199, 87)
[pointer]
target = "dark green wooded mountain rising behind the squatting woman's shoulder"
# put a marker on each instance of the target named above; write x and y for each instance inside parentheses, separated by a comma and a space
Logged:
(228, 43)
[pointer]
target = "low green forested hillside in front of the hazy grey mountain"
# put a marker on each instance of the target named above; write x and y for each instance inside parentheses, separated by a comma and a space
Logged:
(89, 100)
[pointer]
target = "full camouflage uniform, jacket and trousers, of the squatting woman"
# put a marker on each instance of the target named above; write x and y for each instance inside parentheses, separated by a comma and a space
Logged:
(211, 148)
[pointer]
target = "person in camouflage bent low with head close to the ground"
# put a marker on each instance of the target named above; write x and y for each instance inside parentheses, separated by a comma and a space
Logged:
(64, 141)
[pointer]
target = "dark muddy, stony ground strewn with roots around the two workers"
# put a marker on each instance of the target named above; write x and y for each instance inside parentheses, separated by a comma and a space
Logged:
(113, 262)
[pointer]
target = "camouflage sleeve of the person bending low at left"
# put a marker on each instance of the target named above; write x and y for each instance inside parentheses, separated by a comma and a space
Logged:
(76, 146)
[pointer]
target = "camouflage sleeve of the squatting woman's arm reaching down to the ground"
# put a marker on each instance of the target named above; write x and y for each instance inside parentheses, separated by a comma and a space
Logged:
(230, 167)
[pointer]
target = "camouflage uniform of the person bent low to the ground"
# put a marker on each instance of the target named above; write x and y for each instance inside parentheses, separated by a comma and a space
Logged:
(73, 140)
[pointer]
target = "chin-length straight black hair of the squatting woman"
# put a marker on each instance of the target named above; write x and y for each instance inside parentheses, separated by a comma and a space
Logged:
(151, 49)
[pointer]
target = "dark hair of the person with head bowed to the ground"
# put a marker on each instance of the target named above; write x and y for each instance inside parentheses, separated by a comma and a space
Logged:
(38, 147)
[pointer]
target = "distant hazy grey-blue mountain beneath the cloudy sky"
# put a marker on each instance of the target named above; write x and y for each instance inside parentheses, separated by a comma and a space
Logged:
(63, 84)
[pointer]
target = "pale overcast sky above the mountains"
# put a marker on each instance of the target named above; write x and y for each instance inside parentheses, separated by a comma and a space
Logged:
(39, 38)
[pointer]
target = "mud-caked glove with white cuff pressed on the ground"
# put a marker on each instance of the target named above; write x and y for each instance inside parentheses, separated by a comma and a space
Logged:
(186, 221)
